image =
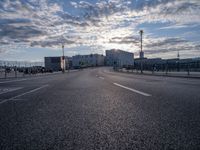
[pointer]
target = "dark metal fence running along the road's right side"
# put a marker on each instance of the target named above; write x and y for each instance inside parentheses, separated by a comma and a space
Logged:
(163, 68)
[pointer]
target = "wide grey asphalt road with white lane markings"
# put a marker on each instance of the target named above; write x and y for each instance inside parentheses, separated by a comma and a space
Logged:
(99, 109)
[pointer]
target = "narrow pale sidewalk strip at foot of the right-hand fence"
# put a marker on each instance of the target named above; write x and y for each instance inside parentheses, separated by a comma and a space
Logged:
(168, 74)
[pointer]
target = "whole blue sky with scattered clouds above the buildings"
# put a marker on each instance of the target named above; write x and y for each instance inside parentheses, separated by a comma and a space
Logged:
(32, 29)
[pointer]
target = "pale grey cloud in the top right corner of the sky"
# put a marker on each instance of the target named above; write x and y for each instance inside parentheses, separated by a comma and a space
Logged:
(179, 12)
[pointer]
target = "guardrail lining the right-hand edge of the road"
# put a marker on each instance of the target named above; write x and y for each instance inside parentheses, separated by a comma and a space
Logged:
(179, 70)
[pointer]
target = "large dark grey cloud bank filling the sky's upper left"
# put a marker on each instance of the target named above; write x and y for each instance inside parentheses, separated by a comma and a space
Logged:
(35, 22)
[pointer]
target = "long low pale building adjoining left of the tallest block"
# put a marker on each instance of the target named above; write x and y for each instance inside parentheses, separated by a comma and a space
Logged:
(91, 60)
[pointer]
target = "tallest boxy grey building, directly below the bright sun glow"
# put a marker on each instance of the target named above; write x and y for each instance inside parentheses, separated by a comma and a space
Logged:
(120, 58)
